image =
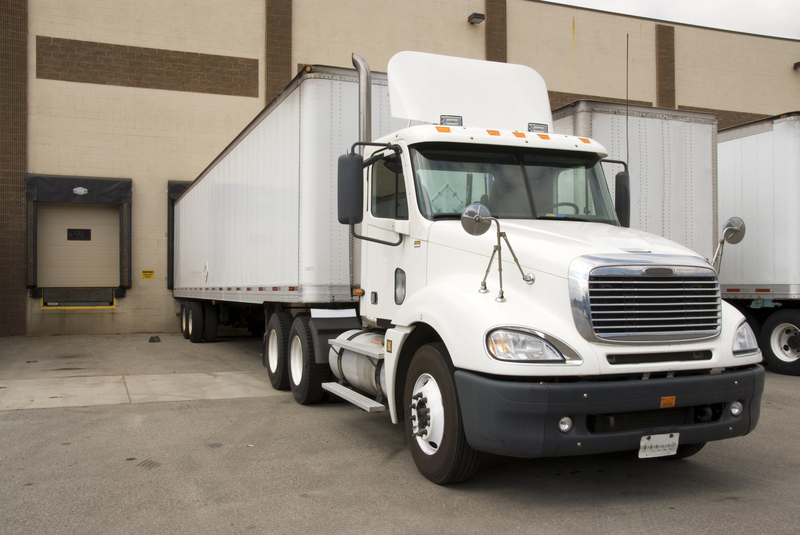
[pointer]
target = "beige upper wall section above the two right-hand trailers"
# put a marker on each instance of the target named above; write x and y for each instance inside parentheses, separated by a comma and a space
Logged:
(582, 52)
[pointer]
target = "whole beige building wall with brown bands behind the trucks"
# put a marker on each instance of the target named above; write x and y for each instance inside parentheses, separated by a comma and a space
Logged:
(152, 128)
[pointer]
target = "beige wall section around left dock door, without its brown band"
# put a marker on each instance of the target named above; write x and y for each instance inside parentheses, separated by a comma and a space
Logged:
(148, 135)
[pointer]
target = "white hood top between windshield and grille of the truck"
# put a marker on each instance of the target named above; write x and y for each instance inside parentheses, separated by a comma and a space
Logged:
(550, 246)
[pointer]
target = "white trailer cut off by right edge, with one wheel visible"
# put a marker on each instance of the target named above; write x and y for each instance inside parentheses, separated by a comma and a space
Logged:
(759, 180)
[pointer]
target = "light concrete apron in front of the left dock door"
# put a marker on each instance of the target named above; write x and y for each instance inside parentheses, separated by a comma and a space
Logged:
(52, 371)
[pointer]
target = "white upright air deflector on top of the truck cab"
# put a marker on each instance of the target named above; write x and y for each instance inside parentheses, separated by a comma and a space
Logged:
(505, 96)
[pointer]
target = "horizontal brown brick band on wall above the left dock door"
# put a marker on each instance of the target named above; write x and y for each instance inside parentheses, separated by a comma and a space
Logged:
(89, 62)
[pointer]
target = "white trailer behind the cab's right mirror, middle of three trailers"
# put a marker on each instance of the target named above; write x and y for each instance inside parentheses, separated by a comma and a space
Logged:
(671, 157)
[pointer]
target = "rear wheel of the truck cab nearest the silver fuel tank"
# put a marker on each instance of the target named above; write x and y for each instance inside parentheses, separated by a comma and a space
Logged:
(305, 375)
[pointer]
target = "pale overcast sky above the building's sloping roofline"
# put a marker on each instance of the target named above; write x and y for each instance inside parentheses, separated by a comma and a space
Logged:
(779, 18)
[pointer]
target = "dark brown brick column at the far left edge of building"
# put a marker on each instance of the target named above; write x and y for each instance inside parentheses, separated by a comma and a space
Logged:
(13, 163)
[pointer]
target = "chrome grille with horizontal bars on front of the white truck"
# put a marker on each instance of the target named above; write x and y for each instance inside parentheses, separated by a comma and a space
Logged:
(639, 306)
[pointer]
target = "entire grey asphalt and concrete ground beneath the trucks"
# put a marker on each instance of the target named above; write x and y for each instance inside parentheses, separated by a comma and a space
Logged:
(113, 434)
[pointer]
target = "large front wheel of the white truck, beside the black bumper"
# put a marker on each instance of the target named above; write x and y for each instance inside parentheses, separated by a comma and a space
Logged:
(439, 446)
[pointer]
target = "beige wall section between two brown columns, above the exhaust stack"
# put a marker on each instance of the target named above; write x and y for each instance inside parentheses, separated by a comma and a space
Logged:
(328, 33)
